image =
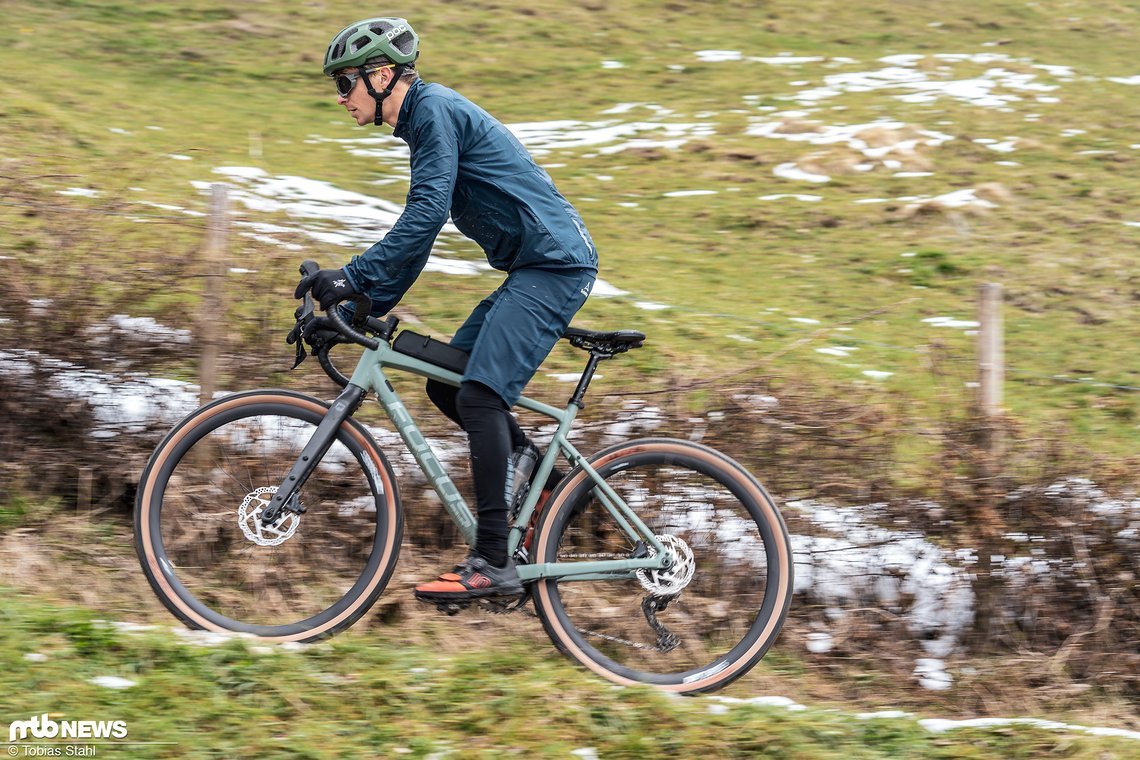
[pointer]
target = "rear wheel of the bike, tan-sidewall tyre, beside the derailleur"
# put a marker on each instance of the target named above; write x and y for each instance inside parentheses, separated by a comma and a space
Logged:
(697, 626)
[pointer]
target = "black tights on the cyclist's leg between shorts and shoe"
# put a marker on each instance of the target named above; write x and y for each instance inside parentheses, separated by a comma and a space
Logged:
(493, 434)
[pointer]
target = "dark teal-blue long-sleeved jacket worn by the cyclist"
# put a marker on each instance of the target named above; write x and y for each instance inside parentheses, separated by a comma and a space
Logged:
(468, 165)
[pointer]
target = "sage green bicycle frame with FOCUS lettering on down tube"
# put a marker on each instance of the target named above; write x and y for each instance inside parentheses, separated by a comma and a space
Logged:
(370, 377)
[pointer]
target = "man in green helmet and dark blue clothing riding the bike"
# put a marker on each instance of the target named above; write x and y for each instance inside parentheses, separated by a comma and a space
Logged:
(465, 162)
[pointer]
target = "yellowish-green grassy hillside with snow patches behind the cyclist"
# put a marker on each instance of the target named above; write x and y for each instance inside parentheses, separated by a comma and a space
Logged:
(221, 78)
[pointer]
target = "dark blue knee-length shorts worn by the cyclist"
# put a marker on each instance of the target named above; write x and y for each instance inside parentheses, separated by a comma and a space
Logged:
(514, 330)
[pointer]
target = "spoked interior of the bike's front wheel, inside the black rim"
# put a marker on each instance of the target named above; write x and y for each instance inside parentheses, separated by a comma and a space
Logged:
(218, 563)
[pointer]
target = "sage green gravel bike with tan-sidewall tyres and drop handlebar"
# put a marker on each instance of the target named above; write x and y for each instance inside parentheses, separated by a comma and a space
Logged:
(276, 514)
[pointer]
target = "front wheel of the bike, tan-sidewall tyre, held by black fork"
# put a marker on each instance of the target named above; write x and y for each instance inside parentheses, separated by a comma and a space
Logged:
(208, 555)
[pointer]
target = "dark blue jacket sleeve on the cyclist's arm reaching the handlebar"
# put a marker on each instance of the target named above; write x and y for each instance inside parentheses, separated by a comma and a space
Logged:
(398, 259)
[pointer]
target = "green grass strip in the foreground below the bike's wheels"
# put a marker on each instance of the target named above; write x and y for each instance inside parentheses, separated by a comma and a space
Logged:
(363, 696)
